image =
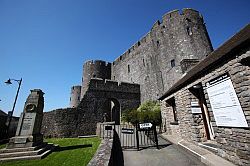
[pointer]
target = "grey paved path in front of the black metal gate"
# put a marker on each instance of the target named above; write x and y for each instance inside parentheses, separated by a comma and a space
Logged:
(167, 155)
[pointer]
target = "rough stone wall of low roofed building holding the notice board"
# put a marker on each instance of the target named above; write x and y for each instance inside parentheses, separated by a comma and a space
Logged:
(234, 143)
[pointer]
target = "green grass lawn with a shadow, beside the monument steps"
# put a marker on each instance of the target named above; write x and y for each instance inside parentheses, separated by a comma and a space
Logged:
(72, 152)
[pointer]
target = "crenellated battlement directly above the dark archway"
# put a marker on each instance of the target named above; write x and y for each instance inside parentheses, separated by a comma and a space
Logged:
(113, 86)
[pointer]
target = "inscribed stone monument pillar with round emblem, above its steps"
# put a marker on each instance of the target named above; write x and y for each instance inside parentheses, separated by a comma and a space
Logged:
(29, 125)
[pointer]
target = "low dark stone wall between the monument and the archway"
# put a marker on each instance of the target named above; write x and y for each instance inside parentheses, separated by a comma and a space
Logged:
(68, 122)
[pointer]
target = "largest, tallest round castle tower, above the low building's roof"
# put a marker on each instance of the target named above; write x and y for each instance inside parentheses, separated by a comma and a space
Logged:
(187, 34)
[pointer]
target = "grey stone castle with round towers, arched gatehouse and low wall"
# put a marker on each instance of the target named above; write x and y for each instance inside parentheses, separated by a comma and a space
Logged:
(144, 72)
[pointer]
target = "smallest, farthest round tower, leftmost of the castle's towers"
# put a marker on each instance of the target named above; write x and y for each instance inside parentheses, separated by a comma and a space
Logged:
(75, 96)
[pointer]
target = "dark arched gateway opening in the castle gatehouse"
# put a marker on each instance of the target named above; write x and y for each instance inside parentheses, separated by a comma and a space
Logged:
(111, 110)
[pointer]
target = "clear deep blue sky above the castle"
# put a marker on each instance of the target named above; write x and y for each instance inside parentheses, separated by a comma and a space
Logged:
(46, 41)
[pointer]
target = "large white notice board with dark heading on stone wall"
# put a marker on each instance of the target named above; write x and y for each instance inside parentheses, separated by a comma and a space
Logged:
(225, 103)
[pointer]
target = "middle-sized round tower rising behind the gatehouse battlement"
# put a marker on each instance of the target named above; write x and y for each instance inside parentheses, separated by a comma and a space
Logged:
(95, 69)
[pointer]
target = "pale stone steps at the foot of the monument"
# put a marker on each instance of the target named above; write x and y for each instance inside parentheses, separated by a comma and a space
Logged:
(26, 153)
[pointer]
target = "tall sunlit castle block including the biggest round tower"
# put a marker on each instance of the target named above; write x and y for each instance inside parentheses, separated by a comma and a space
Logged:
(148, 62)
